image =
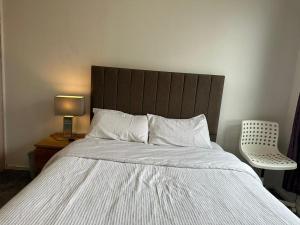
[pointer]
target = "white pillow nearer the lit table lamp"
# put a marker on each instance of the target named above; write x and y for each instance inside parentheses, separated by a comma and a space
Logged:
(111, 124)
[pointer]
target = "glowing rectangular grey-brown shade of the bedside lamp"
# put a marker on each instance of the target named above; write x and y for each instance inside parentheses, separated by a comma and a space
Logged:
(69, 105)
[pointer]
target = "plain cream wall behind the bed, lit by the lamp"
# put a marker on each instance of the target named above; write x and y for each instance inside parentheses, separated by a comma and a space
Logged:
(50, 46)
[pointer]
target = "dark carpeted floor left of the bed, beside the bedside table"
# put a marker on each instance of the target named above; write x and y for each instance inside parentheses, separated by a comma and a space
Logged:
(11, 182)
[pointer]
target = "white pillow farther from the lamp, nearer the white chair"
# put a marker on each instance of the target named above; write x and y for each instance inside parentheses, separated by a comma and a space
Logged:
(180, 132)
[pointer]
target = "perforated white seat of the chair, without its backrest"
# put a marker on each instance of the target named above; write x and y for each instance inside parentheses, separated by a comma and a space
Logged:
(270, 161)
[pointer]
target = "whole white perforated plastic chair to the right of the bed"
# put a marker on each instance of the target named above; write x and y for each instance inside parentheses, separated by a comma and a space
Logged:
(258, 145)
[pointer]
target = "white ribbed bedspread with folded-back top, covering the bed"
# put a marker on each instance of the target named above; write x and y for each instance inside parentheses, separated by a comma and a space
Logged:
(95, 181)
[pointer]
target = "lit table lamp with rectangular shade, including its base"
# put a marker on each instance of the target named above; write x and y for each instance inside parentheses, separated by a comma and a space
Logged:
(68, 107)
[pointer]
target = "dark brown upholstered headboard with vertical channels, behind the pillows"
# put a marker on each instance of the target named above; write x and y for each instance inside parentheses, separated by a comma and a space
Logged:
(168, 94)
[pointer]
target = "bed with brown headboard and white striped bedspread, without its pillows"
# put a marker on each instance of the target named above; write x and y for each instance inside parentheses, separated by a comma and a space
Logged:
(101, 181)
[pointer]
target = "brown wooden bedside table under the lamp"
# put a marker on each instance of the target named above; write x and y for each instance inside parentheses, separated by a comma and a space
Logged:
(47, 147)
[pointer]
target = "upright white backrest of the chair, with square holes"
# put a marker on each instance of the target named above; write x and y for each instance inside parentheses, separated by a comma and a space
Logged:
(257, 133)
